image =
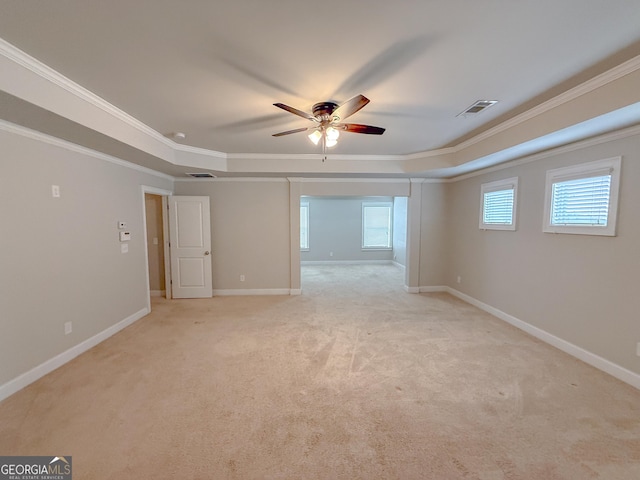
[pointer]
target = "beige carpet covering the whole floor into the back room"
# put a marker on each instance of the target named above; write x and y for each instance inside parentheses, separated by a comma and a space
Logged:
(347, 381)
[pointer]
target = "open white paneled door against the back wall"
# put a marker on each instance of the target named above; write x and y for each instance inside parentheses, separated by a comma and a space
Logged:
(190, 239)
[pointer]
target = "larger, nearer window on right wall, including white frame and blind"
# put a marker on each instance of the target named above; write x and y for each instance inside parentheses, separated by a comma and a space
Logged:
(583, 199)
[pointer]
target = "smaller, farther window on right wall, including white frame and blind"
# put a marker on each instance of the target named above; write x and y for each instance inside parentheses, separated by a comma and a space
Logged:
(498, 204)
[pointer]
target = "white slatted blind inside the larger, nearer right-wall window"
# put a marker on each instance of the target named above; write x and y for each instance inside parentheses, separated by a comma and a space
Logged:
(582, 201)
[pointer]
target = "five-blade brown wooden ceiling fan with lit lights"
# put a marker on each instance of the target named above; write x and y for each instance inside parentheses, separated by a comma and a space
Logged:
(327, 118)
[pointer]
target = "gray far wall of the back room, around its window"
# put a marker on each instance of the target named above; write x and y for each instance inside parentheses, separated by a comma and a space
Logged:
(335, 230)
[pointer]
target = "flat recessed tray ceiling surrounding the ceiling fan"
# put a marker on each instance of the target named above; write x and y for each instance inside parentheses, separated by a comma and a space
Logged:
(212, 69)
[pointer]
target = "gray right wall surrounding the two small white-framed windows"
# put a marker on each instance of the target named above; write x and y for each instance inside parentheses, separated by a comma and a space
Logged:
(582, 289)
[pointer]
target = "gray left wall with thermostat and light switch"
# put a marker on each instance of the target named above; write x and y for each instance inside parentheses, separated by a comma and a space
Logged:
(61, 257)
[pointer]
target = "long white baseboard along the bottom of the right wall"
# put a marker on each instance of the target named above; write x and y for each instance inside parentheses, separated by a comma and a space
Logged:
(580, 353)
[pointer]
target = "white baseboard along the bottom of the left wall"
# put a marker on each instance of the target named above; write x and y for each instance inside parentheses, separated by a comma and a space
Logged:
(18, 383)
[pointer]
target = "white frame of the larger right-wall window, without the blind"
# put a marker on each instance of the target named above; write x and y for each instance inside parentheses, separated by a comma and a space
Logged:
(612, 166)
